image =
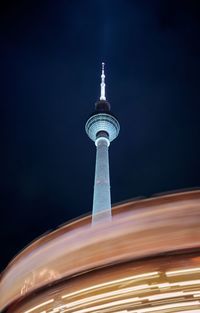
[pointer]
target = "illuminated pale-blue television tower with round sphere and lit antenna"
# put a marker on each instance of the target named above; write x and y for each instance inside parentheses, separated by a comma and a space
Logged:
(102, 127)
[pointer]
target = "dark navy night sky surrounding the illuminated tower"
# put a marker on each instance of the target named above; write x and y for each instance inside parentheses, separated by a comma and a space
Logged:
(51, 54)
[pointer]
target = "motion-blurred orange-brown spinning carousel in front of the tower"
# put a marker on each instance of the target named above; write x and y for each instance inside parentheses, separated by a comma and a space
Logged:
(146, 260)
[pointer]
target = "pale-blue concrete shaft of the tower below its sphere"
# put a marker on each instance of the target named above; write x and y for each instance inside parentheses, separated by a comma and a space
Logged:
(101, 198)
